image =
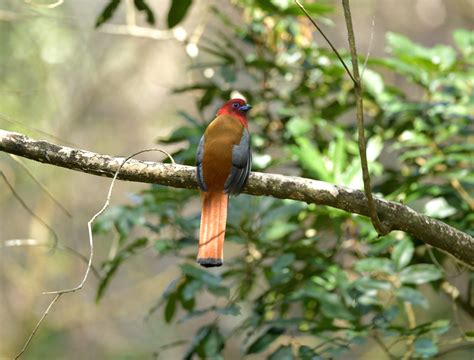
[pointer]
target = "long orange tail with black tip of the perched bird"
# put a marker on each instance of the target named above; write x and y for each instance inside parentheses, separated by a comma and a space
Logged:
(211, 235)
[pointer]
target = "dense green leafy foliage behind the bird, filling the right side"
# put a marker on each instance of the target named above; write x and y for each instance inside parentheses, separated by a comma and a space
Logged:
(303, 270)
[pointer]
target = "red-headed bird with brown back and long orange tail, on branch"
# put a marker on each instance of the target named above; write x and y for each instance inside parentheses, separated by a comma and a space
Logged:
(223, 162)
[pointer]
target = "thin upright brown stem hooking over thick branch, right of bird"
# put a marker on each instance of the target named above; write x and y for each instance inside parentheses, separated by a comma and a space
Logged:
(360, 122)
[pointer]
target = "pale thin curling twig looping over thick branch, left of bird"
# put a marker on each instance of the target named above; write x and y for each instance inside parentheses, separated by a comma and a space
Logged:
(58, 293)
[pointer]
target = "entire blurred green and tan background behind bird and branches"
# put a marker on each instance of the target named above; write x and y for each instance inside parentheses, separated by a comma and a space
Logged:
(300, 281)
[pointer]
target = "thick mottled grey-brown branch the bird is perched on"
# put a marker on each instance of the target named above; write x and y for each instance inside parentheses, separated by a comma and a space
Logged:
(393, 215)
